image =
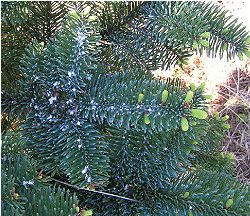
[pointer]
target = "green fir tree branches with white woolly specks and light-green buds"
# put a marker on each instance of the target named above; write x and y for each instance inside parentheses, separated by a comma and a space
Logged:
(96, 133)
